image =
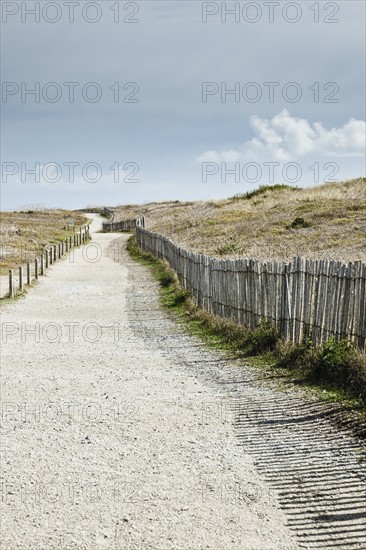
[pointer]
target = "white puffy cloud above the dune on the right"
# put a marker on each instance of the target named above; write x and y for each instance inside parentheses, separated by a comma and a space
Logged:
(285, 138)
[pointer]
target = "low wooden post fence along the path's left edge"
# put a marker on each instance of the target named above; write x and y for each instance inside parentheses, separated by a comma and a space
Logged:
(25, 274)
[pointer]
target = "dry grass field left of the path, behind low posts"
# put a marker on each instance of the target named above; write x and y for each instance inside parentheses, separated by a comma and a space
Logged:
(25, 234)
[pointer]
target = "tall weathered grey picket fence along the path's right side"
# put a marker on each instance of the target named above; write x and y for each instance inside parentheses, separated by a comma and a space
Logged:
(305, 298)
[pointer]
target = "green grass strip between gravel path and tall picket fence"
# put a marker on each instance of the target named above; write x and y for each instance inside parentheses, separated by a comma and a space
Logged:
(335, 372)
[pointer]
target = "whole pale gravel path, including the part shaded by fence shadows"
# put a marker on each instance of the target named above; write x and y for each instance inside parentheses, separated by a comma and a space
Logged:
(119, 431)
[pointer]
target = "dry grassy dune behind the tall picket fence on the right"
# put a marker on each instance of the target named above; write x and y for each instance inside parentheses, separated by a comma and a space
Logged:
(259, 225)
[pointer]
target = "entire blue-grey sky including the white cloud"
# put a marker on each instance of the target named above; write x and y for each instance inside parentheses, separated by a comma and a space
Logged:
(116, 102)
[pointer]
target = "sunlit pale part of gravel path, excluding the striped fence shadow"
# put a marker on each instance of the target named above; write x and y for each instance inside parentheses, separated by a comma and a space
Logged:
(108, 440)
